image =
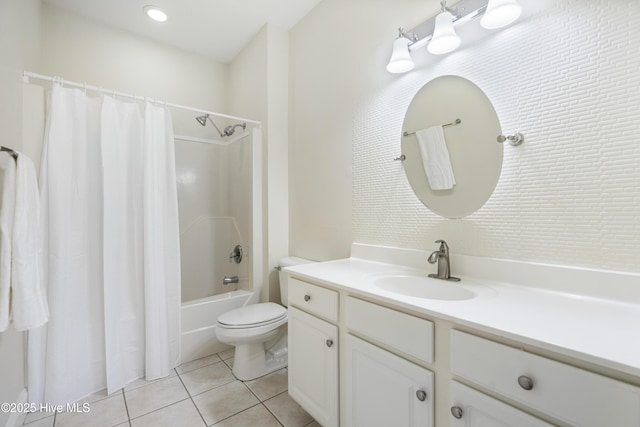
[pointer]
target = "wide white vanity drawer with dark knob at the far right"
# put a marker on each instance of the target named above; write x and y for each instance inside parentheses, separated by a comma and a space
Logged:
(570, 394)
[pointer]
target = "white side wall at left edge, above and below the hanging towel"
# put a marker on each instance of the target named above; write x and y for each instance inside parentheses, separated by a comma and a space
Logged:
(19, 48)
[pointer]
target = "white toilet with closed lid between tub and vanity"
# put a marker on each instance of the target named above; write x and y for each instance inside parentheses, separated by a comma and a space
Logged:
(259, 332)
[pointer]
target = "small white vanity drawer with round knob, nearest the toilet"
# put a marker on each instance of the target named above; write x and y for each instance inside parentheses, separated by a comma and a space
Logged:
(314, 299)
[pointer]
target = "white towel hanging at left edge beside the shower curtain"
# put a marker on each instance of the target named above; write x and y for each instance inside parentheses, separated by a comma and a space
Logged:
(22, 297)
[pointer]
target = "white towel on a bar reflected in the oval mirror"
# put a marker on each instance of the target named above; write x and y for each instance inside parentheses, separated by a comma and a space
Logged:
(435, 158)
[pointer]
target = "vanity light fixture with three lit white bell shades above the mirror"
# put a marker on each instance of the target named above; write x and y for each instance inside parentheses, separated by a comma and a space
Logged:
(439, 33)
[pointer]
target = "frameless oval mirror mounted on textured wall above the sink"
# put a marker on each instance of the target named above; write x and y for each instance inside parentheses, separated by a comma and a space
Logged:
(474, 155)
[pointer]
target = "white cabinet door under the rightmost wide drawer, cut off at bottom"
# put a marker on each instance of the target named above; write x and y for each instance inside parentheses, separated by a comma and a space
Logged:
(470, 408)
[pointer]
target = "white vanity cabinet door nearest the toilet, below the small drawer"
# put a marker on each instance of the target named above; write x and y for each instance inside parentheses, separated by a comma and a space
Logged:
(313, 366)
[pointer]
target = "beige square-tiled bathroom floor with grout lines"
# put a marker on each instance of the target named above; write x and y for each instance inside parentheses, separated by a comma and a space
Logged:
(198, 394)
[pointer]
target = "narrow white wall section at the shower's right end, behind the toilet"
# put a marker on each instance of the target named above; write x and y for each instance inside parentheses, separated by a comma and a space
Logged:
(258, 88)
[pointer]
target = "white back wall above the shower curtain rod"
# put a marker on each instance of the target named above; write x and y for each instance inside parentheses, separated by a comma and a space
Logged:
(83, 50)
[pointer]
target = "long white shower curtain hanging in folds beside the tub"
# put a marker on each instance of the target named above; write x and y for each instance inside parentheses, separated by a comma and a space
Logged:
(109, 209)
